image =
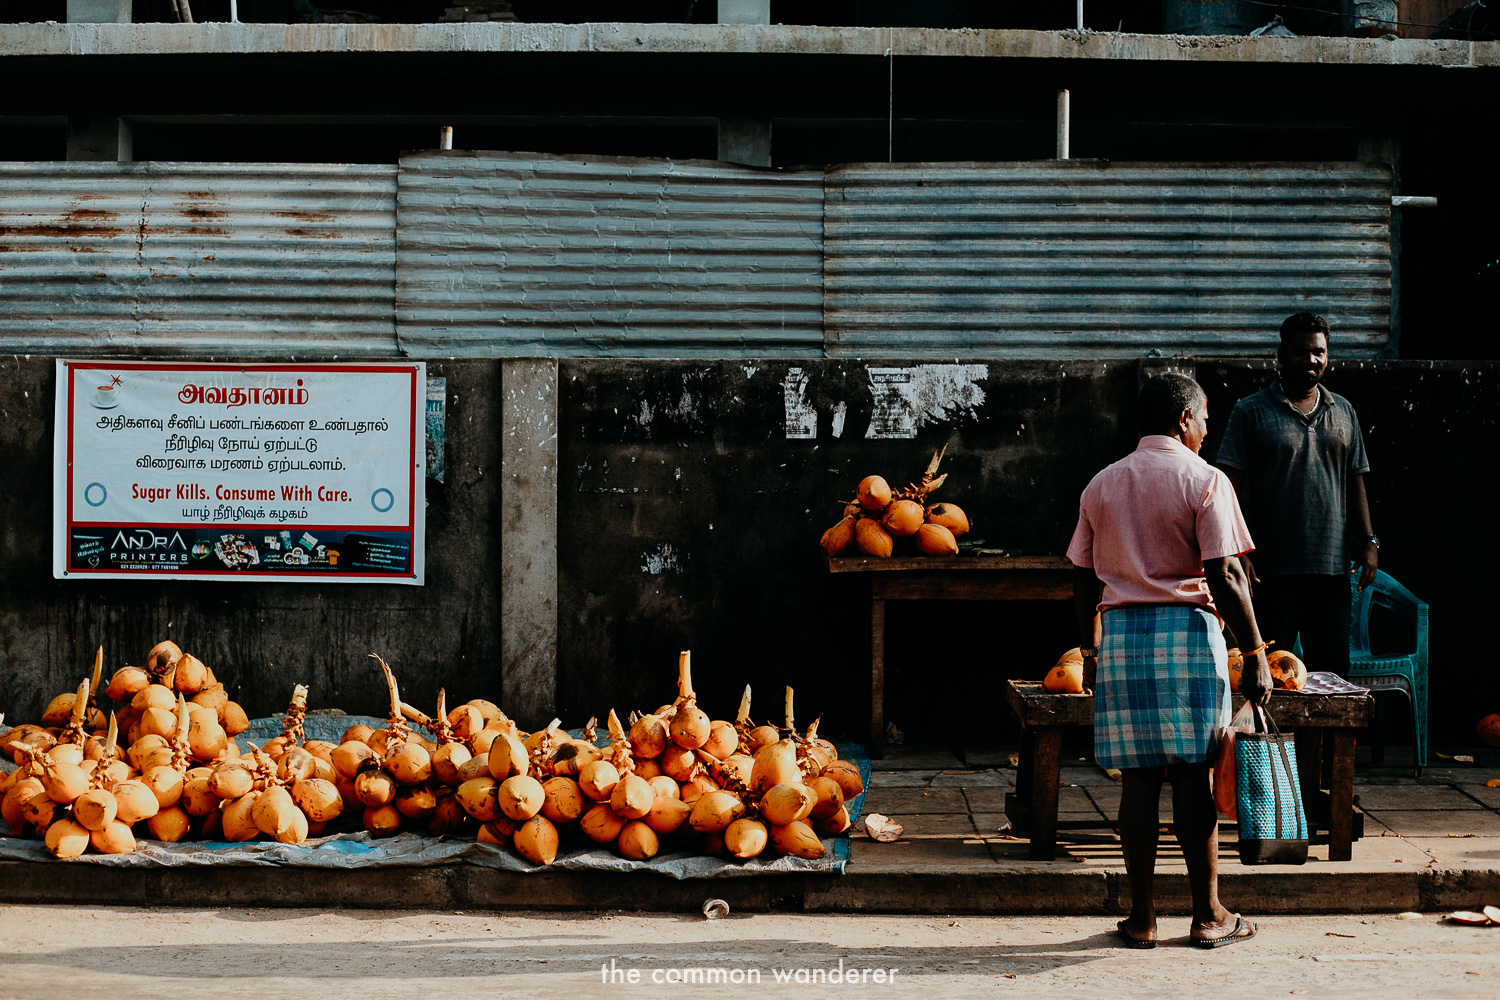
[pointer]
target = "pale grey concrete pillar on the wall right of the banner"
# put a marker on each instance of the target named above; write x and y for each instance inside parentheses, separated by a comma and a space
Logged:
(529, 540)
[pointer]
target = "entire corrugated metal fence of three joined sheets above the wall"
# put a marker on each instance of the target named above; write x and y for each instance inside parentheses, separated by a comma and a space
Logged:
(497, 254)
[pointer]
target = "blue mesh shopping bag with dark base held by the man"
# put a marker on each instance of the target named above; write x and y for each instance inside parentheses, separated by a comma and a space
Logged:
(1273, 828)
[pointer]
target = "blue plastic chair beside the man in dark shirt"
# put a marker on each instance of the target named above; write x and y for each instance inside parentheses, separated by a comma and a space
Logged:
(1391, 672)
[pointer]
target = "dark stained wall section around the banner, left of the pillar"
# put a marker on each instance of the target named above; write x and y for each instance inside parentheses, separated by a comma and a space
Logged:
(259, 638)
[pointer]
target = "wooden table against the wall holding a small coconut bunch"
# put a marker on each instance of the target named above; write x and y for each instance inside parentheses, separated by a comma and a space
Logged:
(947, 579)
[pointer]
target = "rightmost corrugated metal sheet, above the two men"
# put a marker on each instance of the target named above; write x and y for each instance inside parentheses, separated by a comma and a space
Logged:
(1097, 260)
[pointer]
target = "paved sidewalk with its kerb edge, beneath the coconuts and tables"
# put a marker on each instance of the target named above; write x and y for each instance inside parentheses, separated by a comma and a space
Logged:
(1432, 845)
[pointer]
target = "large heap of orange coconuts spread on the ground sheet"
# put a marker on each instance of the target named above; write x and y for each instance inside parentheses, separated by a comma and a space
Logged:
(674, 776)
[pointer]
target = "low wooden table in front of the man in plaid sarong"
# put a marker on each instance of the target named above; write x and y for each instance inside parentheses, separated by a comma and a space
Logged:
(1324, 723)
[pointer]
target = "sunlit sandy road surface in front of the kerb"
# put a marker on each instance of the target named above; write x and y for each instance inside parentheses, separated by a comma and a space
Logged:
(52, 953)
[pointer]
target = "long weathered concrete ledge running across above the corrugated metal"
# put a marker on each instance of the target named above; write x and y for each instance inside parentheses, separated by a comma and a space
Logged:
(712, 40)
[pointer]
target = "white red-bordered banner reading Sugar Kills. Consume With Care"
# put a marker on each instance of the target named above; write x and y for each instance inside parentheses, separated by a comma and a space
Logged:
(235, 472)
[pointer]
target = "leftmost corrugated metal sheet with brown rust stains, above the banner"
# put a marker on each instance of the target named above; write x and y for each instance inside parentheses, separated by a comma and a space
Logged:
(197, 259)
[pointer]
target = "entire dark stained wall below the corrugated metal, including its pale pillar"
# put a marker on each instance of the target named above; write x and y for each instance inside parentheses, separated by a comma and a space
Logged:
(688, 499)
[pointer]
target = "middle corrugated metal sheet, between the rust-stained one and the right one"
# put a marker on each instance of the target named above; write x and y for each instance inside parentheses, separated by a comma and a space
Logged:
(503, 254)
